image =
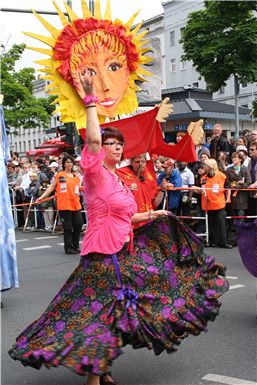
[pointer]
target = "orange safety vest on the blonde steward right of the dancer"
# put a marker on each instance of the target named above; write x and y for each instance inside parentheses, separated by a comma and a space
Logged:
(215, 196)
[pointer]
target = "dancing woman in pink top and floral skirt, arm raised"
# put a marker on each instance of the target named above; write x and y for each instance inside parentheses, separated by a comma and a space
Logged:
(150, 290)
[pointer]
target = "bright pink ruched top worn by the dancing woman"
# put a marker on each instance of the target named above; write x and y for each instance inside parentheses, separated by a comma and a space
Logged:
(110, 207)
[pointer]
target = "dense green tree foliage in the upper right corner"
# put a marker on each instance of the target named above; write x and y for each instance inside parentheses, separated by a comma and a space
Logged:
(221, 40)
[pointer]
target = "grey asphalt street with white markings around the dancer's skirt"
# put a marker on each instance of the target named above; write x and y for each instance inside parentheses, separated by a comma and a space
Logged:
(226, 354)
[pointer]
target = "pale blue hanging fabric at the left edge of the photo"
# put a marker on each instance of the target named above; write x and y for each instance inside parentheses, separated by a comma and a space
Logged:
(9, 271)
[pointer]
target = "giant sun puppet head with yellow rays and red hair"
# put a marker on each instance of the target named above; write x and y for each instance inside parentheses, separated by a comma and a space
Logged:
(112, 52)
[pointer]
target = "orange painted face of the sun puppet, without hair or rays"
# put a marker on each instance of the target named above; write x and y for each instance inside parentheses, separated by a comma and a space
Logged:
(110, 78)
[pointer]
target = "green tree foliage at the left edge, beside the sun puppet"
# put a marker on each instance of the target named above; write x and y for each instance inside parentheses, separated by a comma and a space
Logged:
(21, 108)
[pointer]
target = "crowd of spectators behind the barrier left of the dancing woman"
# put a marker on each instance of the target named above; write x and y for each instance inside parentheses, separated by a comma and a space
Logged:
(28, 180)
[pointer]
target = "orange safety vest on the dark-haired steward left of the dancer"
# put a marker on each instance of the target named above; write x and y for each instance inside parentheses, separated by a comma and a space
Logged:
(67, 191)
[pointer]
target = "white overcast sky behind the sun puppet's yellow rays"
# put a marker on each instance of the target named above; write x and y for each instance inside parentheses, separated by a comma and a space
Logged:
(12, 24)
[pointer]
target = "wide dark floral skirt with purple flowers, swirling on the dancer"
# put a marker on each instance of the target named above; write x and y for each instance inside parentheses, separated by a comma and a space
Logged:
(153, 297)
